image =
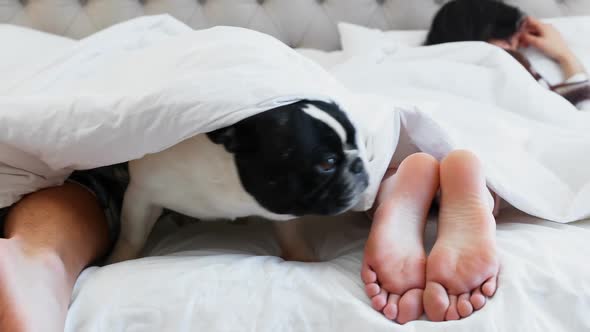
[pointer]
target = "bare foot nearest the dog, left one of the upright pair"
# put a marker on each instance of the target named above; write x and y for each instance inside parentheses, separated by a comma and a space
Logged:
(394, 259)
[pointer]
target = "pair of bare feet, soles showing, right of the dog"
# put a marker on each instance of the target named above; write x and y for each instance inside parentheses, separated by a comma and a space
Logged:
(461, 270)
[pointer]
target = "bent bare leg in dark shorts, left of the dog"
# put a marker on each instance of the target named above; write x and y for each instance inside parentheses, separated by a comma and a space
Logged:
(50, 236)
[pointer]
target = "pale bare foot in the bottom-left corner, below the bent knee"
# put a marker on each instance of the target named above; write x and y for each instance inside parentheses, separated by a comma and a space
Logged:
(34, 290)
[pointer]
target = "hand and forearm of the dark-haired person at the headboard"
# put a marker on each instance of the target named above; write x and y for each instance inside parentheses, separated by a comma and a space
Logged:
(548, 40)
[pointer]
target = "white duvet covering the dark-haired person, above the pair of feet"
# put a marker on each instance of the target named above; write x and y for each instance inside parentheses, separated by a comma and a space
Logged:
(475, 96)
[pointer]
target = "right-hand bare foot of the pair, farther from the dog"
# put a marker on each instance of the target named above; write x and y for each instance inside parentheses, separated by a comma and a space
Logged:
(462, 268)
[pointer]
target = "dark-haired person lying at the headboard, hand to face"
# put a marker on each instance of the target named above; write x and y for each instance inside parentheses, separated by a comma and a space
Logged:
(507, 27)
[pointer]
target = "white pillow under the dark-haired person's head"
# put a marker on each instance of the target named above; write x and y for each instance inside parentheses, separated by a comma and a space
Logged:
(358, 40)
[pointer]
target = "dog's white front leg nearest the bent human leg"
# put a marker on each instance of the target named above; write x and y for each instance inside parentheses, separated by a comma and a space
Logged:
(137, 220)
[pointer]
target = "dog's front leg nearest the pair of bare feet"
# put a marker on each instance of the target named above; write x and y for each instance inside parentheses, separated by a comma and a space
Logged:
(292, 242)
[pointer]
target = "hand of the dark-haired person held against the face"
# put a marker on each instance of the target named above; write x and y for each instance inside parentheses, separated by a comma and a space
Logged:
(546, 38)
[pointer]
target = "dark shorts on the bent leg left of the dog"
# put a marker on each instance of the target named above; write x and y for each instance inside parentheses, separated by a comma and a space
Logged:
(108, 184)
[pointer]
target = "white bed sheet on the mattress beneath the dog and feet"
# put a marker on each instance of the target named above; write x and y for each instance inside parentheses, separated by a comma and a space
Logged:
(218, 277)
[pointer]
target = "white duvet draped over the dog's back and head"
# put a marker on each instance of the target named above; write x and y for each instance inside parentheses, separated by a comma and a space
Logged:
(146, 85)
